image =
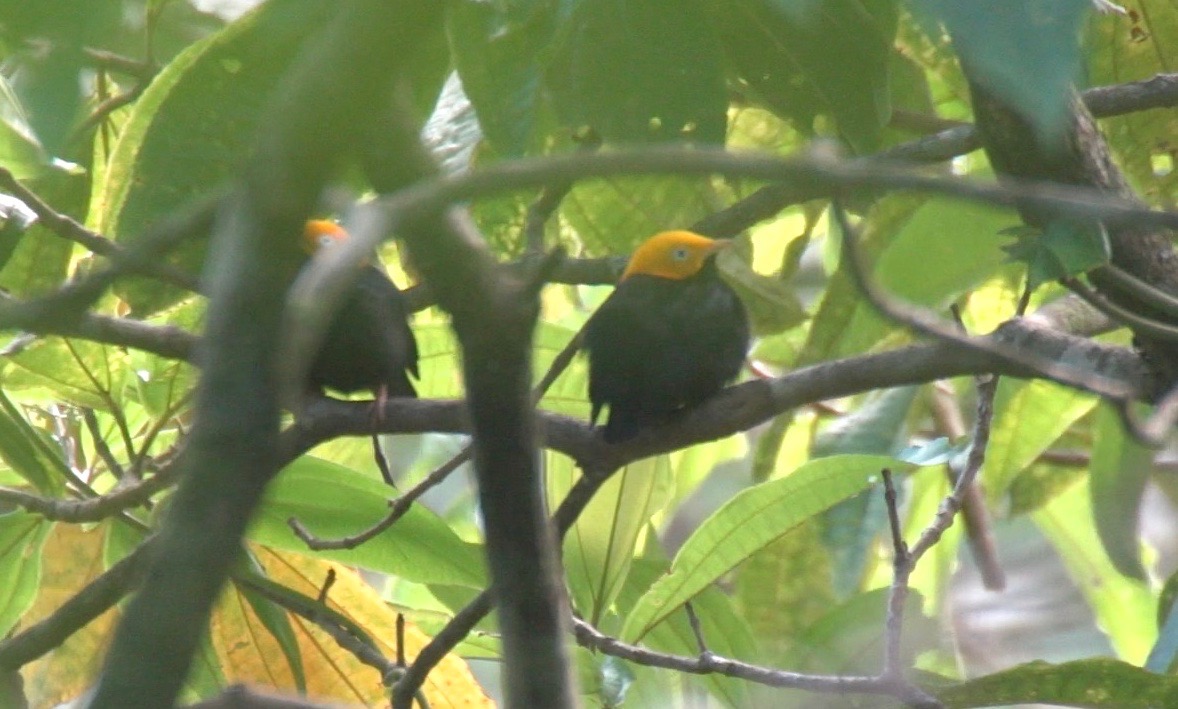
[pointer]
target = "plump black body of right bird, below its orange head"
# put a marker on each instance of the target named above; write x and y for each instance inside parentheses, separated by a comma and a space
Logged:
(658, 346)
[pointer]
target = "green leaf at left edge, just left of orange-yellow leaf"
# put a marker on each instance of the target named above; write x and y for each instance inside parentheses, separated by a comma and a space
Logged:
(22, 538)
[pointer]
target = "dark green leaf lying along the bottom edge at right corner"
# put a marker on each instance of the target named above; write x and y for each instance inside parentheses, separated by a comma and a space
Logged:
(1097, 684)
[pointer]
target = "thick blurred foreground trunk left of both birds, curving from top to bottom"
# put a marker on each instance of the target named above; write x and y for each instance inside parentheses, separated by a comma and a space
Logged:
(315, 117)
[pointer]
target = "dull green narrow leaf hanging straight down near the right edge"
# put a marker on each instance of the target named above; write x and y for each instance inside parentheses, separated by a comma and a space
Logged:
(1120, 469)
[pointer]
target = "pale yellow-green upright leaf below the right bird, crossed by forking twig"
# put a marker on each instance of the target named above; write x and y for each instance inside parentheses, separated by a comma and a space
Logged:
(601, 546)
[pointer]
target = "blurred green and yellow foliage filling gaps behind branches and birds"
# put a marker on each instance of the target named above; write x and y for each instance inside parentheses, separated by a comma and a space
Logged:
(122, 114)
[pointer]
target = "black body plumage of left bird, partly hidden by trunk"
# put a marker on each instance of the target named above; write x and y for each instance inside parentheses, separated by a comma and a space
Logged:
(369, 343)
